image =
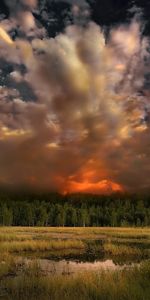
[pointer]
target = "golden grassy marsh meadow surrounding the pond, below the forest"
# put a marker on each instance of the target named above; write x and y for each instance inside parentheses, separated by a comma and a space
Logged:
(125, 246)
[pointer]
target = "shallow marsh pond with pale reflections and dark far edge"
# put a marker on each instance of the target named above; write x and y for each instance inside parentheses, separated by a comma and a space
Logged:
(93, 258)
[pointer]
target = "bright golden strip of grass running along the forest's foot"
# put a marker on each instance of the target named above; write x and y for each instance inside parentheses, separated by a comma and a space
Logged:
(141, 233)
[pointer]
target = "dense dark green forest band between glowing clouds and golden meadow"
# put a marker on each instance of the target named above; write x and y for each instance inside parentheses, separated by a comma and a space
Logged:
(53, 209)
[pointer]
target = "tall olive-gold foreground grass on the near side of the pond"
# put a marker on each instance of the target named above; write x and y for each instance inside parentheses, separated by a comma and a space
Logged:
(104, 285)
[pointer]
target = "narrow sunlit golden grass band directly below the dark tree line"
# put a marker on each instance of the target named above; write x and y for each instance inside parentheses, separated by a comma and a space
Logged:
(44, 233)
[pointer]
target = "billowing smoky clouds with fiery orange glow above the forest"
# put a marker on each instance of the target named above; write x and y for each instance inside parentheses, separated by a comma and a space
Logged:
(74, 108)
